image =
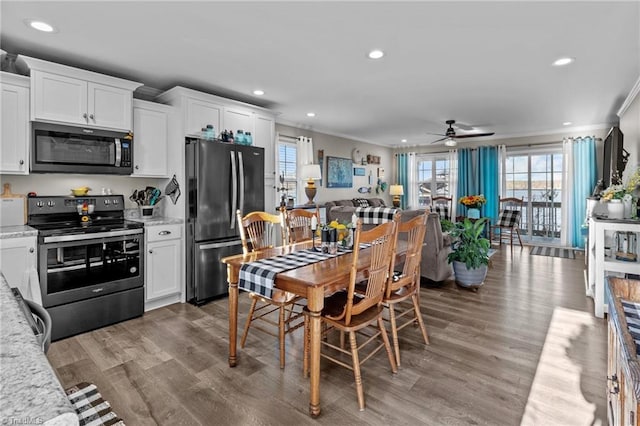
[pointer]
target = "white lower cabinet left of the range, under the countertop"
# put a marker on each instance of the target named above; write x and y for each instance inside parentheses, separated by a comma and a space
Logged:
(17, 257)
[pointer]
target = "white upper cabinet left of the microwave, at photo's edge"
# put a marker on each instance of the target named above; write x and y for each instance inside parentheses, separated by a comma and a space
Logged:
(14, 122)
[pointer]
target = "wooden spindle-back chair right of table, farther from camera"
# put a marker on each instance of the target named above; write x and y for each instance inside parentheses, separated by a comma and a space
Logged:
(404, 285)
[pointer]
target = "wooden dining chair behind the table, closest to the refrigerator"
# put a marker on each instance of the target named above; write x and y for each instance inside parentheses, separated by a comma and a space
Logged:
(257, 233)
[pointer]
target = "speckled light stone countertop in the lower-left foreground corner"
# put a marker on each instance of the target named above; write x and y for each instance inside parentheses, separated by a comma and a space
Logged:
(29, 389)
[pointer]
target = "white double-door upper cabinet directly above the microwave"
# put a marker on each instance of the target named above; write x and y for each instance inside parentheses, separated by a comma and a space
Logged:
(72, 96)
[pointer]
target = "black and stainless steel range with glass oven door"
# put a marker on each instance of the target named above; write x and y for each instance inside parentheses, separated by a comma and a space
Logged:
(90, 261)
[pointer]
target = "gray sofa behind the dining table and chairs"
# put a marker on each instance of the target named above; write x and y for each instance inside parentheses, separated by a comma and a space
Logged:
(434, 267)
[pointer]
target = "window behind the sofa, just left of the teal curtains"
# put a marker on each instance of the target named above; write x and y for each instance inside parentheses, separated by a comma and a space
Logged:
(434, 174)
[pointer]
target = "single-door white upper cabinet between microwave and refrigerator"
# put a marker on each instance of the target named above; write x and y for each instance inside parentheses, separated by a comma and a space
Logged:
(150, 139)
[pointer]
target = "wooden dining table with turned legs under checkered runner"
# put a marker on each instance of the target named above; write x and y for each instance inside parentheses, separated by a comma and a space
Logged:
(312, 282)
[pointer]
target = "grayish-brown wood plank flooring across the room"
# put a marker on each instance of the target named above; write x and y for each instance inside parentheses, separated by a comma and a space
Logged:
(524, 349)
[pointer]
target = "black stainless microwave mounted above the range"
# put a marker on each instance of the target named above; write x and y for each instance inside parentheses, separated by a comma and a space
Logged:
(67, 149)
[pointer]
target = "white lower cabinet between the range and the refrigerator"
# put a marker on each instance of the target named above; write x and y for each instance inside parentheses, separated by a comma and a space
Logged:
(163, 261)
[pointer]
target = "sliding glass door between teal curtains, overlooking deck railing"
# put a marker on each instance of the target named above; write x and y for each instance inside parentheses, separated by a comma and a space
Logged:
(536, 177)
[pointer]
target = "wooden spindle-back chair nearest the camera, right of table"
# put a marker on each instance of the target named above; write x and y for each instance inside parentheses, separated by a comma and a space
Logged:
(350, 312)
